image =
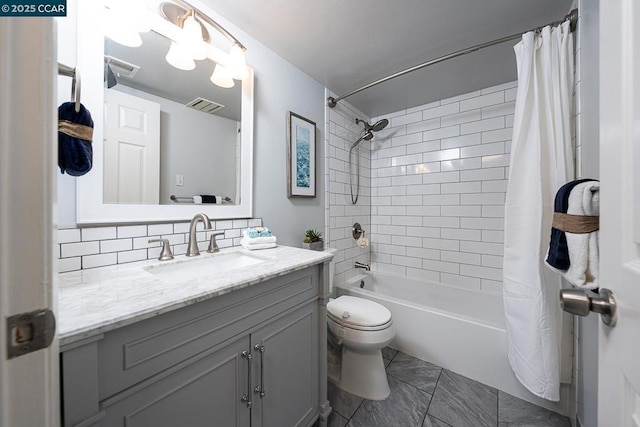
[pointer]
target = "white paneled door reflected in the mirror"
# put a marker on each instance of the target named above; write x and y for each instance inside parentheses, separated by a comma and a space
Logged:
(131, 149)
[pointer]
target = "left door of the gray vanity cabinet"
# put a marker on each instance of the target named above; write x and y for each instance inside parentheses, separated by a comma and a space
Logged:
(205, 390)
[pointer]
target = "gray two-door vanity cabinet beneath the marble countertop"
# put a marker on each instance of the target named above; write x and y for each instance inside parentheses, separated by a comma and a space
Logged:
(247, 358)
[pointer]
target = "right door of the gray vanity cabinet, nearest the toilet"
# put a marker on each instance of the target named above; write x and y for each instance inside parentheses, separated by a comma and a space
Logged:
(288, 371)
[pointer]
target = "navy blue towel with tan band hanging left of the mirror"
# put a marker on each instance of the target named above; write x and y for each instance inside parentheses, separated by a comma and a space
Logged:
(75, 133)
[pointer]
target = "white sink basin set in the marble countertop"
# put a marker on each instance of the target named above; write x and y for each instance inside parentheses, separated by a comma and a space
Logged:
(204, 266)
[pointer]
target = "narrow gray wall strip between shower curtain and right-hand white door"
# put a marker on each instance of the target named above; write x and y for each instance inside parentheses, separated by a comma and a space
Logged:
(589, 157)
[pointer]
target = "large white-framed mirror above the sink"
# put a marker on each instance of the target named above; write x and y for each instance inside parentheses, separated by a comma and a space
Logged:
(199, 153)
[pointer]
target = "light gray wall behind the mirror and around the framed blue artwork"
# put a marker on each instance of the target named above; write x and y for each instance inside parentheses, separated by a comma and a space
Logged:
(279, 87)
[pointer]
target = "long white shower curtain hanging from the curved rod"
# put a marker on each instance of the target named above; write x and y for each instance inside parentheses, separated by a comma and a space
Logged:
(541, 162)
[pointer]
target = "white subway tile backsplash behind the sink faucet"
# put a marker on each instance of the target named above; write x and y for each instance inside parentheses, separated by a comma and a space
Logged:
(81, 248)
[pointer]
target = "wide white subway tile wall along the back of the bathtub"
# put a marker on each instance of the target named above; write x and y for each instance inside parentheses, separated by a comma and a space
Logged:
(438, 184)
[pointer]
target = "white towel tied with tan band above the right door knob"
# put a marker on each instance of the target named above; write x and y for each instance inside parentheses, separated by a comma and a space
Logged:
(584, 271)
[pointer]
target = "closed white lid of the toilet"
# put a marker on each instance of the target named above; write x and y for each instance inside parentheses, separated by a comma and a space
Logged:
(358, 311)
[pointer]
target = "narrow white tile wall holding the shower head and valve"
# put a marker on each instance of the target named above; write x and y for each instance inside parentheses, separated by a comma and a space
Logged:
(341, 132)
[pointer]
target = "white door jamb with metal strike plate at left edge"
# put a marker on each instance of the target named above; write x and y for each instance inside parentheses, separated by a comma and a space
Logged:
(28, 118)
